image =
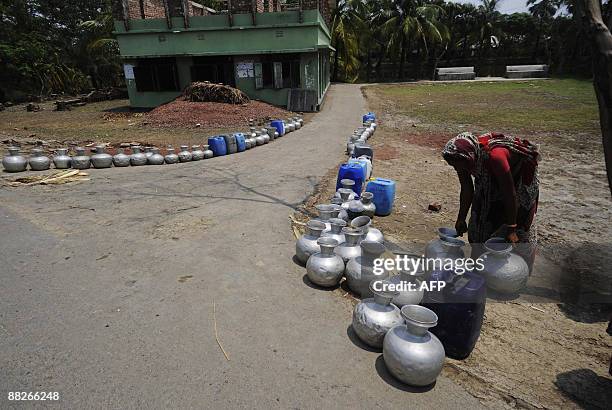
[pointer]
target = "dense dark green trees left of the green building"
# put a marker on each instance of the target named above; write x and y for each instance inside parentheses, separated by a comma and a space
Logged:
(52, 46)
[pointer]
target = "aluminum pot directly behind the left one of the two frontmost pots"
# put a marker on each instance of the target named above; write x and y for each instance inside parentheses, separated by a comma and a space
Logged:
(360, 271)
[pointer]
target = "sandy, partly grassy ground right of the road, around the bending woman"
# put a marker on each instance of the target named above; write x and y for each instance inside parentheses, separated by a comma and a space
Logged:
(529, 355)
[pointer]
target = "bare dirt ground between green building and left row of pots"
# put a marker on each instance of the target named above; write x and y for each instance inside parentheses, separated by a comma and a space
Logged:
(107, 122)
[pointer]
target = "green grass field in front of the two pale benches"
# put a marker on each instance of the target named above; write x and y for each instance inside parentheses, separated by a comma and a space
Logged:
(551, 106)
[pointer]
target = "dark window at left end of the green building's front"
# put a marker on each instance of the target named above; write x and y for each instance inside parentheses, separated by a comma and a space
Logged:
(156, 75)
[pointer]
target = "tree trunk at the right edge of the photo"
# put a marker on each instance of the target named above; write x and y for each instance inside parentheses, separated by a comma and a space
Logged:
(601, 42)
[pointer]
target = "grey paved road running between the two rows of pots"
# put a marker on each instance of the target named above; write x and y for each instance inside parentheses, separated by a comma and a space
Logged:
(108, 287)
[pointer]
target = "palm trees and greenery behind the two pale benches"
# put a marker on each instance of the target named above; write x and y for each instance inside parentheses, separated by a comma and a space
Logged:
(412, 37)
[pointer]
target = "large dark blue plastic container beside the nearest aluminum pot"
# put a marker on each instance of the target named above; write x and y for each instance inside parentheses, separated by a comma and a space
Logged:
(460, 308)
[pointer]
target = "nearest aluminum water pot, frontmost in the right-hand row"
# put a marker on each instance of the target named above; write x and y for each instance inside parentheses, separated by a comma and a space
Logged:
(412, 354)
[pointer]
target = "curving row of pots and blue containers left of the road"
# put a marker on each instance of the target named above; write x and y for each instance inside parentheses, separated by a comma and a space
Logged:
(100, 158)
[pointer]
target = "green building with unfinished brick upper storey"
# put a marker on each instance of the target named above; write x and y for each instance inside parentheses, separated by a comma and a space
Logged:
(274, 51)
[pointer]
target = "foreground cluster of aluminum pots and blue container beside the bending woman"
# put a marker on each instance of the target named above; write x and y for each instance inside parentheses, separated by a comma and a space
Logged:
(416, 327)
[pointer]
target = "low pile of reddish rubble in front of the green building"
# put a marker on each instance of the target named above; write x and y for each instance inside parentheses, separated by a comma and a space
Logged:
(210, 114)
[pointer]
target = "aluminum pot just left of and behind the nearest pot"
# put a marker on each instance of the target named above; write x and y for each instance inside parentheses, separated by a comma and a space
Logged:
(374, 317)
